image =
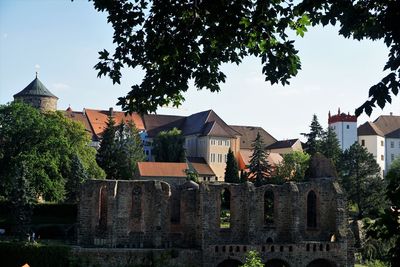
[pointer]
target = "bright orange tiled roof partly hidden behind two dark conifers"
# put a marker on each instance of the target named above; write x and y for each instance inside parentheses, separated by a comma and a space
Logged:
(98, 119)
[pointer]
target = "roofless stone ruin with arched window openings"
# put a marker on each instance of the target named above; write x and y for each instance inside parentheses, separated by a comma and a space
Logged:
(309, 225)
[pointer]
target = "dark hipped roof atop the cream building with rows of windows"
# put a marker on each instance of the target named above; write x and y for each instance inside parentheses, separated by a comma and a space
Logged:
(207, 123)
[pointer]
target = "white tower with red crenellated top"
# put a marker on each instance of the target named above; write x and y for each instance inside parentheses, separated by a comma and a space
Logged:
(345, 128)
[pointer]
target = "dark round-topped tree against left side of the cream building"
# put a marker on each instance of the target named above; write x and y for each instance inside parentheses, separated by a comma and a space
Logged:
(168, 146)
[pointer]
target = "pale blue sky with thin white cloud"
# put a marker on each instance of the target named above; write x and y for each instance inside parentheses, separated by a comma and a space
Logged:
(61, 40)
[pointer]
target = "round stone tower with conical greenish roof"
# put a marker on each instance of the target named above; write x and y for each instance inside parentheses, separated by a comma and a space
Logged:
(38, 96)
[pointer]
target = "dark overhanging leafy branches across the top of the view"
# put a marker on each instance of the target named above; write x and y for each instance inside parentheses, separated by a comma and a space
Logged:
(176, 41)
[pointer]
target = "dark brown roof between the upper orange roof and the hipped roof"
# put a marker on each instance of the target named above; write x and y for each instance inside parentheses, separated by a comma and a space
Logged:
(157, 123)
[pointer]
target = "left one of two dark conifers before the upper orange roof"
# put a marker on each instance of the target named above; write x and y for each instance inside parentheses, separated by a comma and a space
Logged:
(107, 157)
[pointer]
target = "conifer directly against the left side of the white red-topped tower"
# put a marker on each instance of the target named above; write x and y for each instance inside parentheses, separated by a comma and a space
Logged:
(329, 146)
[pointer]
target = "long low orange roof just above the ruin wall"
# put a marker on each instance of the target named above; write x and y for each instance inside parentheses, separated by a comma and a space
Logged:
(162, 169)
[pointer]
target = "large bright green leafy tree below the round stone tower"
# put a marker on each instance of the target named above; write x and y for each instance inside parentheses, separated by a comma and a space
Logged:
(44, 143)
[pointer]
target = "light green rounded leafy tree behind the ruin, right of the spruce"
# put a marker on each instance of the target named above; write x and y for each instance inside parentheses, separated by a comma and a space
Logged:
(293, 166)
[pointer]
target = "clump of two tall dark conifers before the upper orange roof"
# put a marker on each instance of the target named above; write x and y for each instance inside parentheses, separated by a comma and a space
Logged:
(120, 150)
